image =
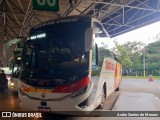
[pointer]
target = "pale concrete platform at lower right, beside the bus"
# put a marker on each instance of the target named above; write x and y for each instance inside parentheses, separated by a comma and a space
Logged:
(134, 101)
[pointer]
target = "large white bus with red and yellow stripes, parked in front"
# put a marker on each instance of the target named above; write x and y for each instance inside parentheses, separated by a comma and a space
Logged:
(68, 65)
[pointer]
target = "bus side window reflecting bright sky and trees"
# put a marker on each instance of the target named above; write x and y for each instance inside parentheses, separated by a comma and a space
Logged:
(106, 46)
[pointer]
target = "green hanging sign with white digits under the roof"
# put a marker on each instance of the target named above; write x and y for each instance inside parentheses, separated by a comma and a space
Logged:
(48, 5)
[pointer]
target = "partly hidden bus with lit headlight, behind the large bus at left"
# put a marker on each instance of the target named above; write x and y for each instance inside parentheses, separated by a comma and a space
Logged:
(14, 62)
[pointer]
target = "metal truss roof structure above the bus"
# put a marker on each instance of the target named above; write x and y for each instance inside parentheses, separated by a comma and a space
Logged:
(117, 16)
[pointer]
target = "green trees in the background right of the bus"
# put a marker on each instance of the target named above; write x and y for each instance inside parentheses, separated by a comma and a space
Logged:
(132, 55)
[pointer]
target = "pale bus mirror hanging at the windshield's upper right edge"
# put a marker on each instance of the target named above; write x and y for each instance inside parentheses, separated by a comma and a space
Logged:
(88, 39)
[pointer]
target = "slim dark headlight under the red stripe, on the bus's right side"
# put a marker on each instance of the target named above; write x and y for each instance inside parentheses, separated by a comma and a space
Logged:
(80, 92)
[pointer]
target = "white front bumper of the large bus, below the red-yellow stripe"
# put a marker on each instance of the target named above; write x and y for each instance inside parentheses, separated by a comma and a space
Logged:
(68, 104)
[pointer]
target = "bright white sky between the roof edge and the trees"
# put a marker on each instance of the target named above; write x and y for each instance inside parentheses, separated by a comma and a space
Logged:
(142, 34)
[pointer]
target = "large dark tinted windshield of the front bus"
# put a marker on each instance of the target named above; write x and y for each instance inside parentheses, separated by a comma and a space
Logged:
(57, 52)
